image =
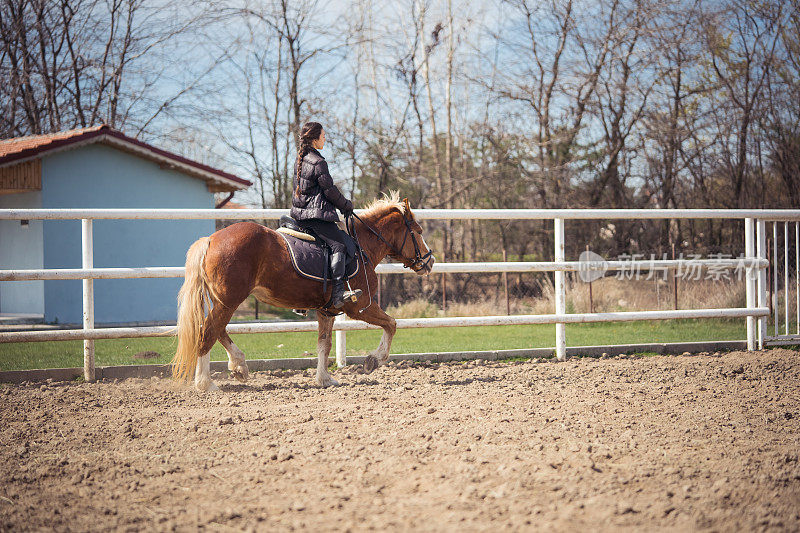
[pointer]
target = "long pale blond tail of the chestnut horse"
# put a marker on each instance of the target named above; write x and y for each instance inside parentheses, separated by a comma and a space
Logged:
(193, 300)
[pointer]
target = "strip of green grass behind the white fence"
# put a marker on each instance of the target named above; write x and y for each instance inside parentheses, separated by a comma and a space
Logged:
(20, 356)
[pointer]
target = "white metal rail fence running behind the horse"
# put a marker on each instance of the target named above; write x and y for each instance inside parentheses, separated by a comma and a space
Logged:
(755, 262)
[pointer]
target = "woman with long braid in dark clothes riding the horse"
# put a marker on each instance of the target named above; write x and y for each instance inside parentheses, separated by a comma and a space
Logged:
(314, 205)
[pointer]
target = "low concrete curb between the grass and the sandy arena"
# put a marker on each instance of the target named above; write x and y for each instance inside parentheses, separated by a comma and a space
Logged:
(301, 363)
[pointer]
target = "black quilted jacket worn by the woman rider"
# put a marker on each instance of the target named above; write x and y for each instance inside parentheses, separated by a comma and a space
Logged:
(318, 196)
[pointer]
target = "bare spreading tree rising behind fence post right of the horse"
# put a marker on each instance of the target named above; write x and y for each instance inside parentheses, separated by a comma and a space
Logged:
(557, 74)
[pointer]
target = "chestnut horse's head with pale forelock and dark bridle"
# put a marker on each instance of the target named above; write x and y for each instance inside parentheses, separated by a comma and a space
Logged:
(403, 235)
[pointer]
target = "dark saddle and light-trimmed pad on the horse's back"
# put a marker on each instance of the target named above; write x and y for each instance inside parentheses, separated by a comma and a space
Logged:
(310, 255)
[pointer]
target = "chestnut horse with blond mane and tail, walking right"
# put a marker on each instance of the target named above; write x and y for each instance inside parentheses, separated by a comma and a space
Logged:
(247, 258)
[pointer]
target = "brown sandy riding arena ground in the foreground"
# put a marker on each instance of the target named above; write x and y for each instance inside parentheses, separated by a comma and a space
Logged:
(662, 443)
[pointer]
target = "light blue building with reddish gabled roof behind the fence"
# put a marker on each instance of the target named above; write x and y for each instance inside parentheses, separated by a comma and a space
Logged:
(100, 167)
